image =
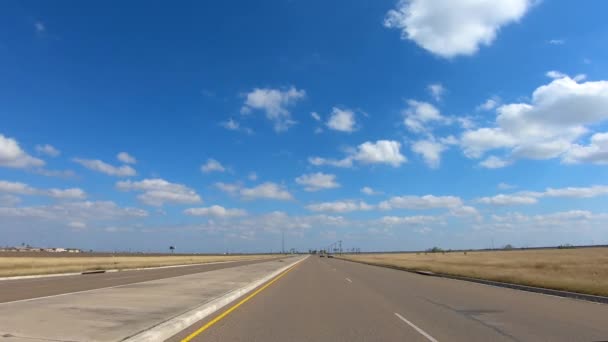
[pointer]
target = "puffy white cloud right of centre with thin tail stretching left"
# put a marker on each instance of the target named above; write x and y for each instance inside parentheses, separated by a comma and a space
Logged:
(379, 152)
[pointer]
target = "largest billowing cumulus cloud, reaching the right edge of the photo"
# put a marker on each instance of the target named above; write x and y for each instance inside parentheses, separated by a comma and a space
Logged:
(547, 127)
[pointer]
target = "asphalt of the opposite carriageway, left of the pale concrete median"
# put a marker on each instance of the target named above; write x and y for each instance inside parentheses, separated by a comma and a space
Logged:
(12, 290)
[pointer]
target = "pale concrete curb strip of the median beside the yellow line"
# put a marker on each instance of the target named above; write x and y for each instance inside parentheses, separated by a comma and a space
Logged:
(167, 329)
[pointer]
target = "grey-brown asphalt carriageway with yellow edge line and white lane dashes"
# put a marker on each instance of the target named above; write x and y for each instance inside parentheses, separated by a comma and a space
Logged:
(333, 300)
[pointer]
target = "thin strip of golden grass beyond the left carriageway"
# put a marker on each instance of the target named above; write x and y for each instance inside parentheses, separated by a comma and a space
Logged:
(18, 266)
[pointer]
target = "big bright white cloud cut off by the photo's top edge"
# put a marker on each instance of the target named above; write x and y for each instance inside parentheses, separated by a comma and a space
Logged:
(449, 28)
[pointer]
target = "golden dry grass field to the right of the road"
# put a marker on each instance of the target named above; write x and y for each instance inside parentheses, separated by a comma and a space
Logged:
(583, 270)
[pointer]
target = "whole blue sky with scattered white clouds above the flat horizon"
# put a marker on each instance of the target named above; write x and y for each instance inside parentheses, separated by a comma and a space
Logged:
(388, 125)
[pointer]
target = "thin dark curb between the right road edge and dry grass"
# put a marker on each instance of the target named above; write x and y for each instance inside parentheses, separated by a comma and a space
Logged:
(541, 290)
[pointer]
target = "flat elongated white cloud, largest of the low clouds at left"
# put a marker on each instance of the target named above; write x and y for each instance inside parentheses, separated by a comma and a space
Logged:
(158, 192)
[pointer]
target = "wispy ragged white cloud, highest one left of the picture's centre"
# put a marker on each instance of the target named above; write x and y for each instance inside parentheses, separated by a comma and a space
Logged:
(275, 104)
